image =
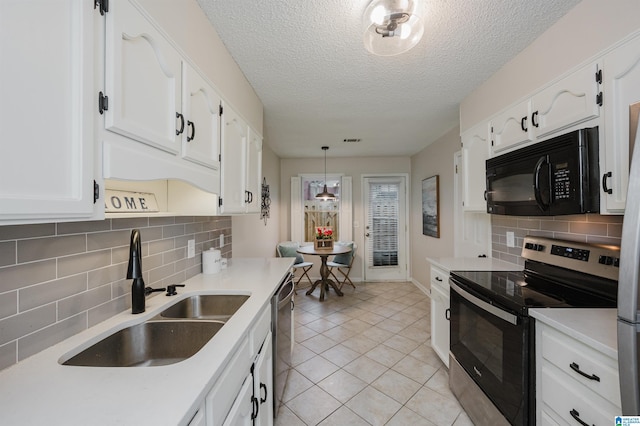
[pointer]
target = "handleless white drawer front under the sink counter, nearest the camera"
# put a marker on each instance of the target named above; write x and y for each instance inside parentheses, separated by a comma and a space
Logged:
(219, 400)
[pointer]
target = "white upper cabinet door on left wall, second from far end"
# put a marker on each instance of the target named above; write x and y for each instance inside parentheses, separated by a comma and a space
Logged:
(234, 144)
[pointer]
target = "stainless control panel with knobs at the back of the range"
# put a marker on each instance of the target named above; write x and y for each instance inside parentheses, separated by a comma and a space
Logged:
(595, 259)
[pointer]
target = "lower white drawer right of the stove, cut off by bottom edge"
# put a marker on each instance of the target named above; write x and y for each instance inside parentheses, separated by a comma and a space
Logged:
(564, 396)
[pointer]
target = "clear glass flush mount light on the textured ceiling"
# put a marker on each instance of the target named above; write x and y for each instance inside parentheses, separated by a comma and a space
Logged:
(391, 27)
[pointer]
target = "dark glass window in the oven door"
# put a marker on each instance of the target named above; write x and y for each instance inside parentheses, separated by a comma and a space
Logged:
(484, 339)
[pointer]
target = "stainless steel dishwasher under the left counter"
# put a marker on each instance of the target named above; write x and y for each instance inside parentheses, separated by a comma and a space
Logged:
(282, 323)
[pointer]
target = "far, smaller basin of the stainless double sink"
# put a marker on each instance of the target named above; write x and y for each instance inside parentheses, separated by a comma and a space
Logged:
(210, 307)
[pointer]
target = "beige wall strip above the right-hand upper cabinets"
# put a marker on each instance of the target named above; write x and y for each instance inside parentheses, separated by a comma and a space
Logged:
(588, 29)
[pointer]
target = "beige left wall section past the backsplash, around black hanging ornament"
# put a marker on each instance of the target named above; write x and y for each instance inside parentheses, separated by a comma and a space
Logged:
(251, 237)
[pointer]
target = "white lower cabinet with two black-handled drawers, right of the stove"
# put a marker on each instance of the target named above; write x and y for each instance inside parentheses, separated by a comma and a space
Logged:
(574, 382)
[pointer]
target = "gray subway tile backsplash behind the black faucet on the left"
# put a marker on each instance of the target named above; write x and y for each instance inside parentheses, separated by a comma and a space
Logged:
(57, 279)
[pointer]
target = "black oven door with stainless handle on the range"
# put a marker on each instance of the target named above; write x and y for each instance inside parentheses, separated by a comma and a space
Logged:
(492, 345)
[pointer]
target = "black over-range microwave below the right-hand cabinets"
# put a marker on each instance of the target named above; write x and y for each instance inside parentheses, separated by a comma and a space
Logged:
(556, 177)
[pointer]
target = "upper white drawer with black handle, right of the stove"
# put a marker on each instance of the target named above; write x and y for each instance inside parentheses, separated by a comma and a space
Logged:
(563, 351)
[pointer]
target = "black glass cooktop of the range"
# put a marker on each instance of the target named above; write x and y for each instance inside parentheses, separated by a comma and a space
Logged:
(517, 291)
